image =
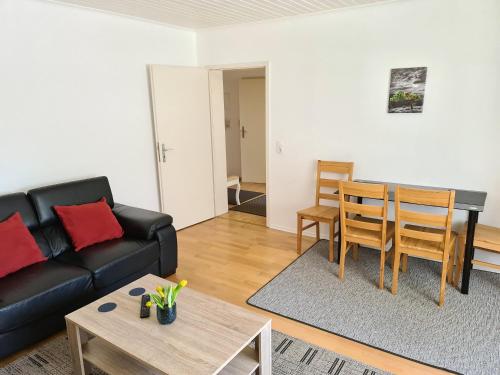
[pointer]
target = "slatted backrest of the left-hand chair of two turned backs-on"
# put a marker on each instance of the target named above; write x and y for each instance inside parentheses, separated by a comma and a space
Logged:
(349, 209)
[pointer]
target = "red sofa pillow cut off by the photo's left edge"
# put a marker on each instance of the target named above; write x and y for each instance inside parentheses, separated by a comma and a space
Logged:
(18, 248)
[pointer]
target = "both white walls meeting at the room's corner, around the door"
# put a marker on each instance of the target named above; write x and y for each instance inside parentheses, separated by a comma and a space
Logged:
(74, 98)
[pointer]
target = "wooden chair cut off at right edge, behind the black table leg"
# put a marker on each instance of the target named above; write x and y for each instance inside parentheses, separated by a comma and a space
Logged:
(485, 238)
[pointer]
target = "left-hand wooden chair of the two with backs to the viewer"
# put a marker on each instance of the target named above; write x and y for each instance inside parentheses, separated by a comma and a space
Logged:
(364, 224)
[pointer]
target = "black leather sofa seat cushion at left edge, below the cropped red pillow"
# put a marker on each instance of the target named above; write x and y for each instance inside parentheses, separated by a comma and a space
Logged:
(39, 290)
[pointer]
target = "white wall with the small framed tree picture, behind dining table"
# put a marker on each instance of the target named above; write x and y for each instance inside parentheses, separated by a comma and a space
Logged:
(329, 78)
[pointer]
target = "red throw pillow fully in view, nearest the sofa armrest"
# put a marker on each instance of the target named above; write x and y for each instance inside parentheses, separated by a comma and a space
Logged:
(89, 223)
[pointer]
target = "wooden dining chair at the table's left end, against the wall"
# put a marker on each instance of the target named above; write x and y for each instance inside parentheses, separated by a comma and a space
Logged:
(320, 213)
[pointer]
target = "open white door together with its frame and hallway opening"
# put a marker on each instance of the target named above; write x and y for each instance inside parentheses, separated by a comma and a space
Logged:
(191, 134)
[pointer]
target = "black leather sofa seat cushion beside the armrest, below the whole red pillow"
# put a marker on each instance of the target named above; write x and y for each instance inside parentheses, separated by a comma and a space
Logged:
(113, 260)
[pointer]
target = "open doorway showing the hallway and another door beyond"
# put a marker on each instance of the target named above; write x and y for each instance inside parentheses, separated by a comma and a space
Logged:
(245, 135)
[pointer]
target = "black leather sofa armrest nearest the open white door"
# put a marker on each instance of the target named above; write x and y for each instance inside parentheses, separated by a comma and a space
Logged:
(141, 223)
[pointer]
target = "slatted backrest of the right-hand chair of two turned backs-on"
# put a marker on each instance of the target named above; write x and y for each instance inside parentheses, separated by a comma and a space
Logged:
(433, 198)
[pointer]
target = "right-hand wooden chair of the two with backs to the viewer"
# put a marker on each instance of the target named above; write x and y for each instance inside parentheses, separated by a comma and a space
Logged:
(425, 235)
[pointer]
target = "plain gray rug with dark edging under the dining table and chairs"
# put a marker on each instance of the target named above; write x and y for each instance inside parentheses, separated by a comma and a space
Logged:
(463, 336)
